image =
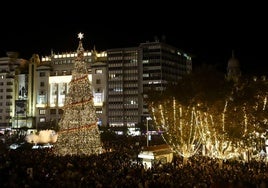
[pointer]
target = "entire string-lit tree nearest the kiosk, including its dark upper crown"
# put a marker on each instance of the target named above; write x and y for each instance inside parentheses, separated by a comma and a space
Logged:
(182, 111)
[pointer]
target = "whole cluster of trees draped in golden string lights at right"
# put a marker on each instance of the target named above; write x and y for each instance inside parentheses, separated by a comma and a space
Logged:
(229, 120)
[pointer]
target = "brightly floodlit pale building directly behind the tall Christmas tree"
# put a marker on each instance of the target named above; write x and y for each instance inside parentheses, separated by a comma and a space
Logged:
(54, 74)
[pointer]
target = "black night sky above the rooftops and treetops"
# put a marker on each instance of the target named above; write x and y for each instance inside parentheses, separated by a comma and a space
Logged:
(208, 31)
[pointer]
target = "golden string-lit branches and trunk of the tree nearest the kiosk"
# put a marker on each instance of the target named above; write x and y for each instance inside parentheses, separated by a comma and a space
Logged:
(183, 130)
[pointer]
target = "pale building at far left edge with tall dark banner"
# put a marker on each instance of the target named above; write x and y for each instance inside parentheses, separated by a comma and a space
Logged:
(16, 104)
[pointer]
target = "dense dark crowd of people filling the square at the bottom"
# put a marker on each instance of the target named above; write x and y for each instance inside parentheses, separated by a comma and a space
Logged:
(121, 167)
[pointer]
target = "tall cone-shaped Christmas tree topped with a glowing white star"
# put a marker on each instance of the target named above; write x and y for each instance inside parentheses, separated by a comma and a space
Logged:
(78, 130)
